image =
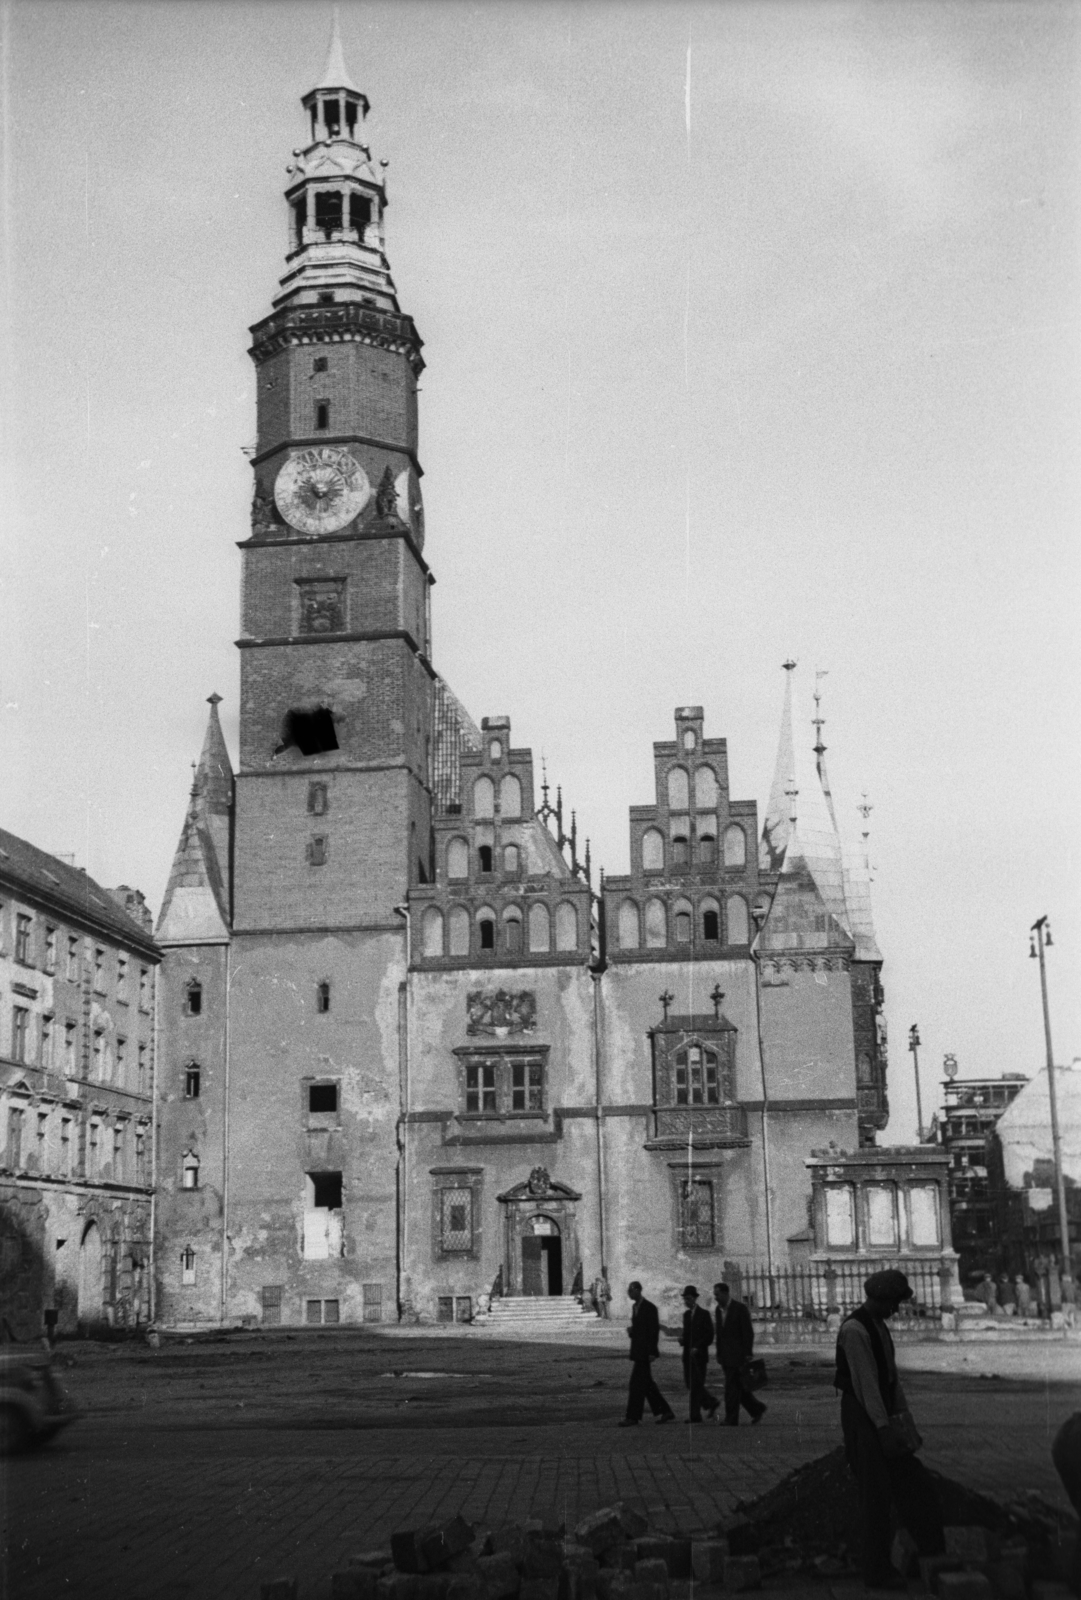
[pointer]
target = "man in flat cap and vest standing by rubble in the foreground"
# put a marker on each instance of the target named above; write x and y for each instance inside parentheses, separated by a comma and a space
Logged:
(880, 1438)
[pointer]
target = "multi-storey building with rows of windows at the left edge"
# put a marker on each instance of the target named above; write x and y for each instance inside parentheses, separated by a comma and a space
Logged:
(79, 969)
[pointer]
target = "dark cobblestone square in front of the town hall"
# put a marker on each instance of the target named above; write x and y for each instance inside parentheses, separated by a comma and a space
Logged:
(205, 1468)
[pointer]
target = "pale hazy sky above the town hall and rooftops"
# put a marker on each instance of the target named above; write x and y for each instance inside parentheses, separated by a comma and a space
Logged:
(752, 332)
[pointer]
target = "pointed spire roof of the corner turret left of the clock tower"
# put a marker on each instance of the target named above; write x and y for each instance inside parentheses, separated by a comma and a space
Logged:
(196, 908)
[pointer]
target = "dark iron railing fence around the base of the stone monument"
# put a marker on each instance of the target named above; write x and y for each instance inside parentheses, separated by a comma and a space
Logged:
(815, 1292)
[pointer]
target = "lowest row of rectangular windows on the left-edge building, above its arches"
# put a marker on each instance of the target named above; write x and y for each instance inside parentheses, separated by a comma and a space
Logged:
(47, 1143)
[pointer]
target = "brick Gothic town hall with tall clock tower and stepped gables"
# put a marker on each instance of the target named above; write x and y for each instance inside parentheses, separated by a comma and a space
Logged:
(410, 1055)
